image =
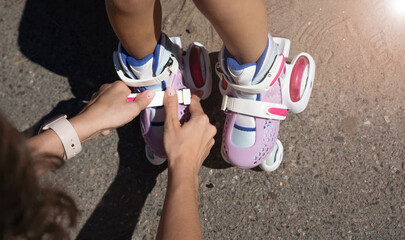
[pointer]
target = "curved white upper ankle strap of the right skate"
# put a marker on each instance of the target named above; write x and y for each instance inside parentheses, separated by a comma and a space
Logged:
(263, 86)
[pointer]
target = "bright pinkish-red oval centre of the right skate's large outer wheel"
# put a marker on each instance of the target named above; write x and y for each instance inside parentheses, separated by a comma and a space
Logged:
(296, 78)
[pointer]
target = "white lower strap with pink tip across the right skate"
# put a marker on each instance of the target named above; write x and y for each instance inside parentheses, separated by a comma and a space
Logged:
(254, 108)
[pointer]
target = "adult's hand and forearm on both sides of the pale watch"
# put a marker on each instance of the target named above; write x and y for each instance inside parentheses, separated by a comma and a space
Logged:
(107, 109)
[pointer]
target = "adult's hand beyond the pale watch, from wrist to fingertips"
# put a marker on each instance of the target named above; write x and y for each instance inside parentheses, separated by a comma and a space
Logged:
(109, 109)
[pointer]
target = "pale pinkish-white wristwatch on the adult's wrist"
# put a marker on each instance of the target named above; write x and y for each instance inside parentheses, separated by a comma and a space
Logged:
(67, 134)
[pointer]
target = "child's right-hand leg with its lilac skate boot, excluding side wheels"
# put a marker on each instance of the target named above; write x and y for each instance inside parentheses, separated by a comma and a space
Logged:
(243, 67)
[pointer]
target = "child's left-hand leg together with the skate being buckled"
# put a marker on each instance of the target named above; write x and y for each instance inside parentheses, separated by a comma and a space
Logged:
(147, 59)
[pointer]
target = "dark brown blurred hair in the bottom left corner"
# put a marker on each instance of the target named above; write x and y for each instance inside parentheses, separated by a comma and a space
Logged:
(27, 209)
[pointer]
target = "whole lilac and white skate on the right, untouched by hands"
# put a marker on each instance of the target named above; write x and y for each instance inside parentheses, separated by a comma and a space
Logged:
(256, 97)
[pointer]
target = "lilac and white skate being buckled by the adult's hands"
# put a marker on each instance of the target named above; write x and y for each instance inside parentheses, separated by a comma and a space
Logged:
(164, 67)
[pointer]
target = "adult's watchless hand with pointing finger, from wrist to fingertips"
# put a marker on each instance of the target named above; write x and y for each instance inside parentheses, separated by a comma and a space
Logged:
(189, 144)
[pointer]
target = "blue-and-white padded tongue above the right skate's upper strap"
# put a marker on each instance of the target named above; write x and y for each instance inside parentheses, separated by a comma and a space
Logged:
(241, 74)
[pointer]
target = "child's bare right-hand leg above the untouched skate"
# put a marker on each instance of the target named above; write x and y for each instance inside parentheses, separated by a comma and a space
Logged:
(241, 24)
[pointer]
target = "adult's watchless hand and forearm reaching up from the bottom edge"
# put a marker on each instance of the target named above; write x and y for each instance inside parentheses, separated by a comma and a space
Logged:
(186, 147)
